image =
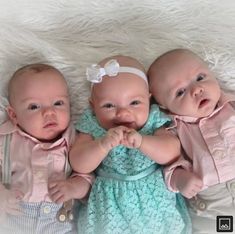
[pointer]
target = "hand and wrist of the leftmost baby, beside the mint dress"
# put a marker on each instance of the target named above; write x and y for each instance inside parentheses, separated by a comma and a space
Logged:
(75, 187)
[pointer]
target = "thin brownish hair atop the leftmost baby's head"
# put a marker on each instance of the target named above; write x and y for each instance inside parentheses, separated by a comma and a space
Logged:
(34, 68)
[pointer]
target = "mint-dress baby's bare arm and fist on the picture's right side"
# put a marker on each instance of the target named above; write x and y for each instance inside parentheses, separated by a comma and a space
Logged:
(162, 147)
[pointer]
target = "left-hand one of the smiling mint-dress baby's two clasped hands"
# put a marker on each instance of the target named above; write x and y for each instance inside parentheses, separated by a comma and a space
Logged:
(113, 138)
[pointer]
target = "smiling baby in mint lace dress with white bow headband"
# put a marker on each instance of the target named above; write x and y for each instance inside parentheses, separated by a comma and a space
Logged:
(119, 142)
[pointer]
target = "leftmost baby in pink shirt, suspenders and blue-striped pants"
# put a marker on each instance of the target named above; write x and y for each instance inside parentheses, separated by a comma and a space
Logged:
(34, 154)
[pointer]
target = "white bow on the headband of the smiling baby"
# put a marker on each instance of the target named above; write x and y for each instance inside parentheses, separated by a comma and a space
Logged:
(95, 72)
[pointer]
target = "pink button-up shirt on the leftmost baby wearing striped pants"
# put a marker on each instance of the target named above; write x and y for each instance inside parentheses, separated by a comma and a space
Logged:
(34, 163)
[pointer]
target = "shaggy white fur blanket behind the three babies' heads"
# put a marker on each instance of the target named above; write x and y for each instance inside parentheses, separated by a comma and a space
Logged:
(72, 34)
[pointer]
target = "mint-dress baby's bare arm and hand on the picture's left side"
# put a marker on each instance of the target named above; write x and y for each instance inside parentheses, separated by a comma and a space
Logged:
(87, 153)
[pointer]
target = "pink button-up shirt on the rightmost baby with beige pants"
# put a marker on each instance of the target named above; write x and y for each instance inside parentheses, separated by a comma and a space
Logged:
(208, 144)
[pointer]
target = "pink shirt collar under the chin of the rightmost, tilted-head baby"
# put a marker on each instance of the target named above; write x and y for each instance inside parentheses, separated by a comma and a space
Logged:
(224, 99)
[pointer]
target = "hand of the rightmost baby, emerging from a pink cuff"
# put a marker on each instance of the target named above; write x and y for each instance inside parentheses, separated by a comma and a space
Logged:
(188, 183)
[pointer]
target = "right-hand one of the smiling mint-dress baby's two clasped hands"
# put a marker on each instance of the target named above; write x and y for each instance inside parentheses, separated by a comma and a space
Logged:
(132, 139)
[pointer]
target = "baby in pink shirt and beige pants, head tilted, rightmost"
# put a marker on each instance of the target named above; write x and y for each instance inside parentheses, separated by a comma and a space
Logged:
(204, 120)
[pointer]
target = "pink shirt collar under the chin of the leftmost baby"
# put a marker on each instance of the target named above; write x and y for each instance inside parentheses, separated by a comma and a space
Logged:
(8, 128)
